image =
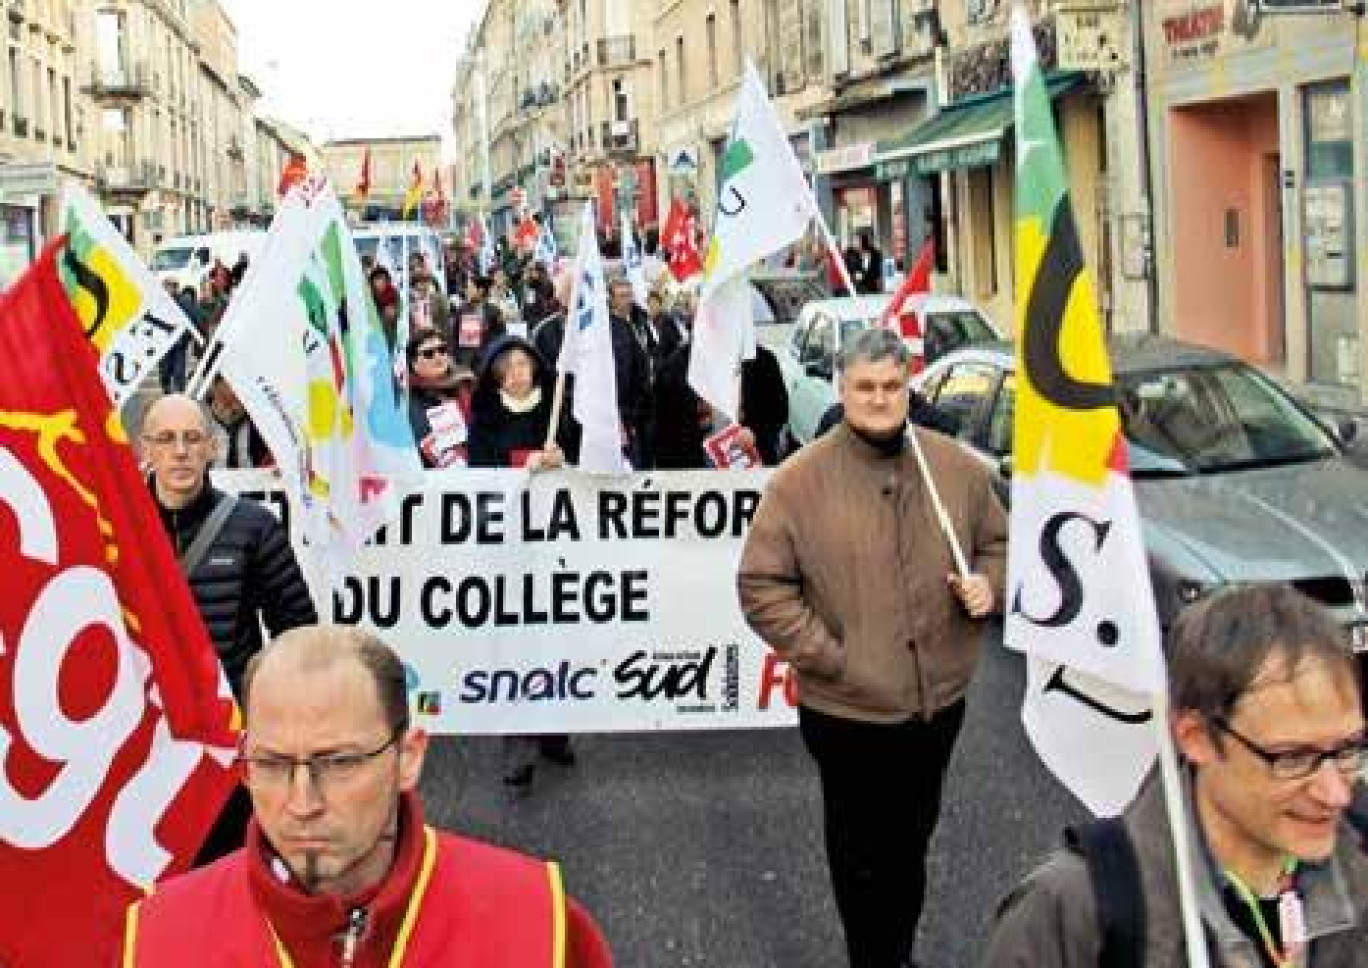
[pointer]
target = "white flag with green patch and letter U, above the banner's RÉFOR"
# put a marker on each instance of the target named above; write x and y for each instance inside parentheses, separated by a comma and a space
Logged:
(764, 204)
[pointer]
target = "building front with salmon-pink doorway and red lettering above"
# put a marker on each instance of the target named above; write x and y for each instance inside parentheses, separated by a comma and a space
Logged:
(1258, 129)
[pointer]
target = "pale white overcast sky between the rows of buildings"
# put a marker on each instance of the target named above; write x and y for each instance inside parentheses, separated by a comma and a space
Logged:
(350, 70)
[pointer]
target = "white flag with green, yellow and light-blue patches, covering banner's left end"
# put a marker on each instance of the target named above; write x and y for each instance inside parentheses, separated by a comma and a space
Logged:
(303, 348)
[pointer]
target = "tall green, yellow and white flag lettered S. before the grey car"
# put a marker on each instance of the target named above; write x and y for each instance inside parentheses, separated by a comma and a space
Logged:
(1080, 602)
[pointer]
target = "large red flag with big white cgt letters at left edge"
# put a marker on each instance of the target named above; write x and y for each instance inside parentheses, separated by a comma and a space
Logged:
(116, 727)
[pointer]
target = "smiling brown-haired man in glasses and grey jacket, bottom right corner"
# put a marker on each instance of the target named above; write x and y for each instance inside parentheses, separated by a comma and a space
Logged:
(1269, 721)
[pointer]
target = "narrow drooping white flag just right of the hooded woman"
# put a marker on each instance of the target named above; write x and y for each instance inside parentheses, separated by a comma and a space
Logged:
(588, 355)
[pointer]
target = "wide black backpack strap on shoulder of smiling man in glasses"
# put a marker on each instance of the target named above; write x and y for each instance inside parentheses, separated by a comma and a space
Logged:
(1114, 872)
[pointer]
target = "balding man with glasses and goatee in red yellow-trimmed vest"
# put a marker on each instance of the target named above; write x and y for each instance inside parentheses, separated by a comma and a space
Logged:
(340, 869)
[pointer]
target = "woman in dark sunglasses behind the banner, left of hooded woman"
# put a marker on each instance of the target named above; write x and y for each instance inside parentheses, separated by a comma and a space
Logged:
(440, 401)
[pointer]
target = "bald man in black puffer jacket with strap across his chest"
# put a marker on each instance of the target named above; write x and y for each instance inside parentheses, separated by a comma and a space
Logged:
(235, 554)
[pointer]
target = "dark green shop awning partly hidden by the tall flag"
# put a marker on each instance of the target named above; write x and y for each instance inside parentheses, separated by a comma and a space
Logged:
(968, 135)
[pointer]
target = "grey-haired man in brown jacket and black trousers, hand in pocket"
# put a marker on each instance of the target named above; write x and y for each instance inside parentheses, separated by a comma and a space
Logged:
(849, 576)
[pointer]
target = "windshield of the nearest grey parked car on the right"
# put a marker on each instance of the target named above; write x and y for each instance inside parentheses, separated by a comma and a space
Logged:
(1214, 419)
